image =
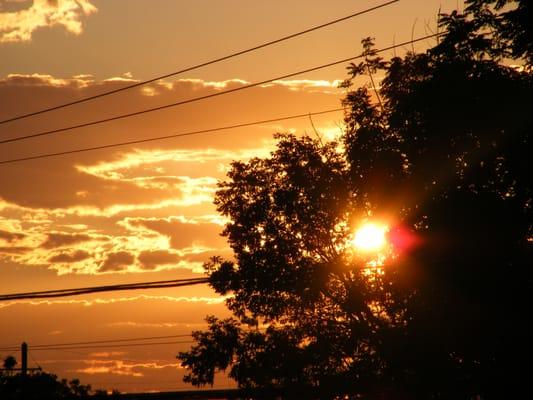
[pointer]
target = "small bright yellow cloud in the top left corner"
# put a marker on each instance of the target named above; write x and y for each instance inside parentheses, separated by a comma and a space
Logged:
(19, 26)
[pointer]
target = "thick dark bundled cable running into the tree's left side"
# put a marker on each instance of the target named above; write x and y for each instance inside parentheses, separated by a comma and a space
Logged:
(107, 288)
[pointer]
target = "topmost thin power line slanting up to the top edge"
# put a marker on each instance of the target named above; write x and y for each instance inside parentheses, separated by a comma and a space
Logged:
(204, 64)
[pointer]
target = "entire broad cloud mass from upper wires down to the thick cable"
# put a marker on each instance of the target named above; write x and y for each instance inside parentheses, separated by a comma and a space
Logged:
(153, 203)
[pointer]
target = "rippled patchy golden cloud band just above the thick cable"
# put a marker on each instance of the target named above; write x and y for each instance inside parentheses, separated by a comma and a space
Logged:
(148, 244)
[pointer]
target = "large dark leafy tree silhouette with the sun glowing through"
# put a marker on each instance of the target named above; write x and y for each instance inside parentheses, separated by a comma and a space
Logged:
(447, 154)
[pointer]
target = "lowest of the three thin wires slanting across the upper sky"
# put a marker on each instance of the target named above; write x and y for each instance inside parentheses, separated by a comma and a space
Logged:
(176, 135)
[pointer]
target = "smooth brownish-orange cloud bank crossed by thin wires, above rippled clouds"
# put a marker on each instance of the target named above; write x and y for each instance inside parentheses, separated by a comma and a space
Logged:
(148, 176)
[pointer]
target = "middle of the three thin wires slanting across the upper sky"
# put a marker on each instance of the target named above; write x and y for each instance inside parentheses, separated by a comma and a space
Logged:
(212, 95)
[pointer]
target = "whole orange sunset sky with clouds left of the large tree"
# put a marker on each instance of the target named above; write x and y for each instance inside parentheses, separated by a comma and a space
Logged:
(144, 212)
